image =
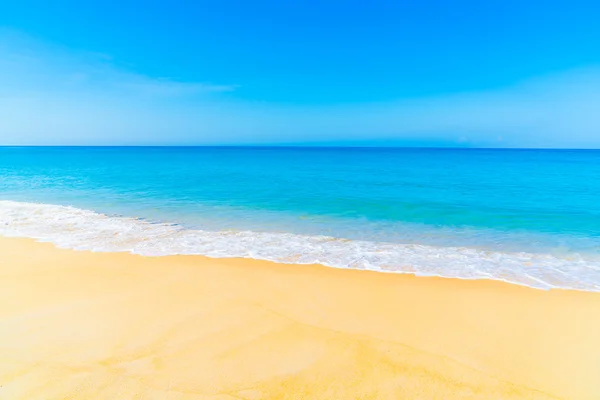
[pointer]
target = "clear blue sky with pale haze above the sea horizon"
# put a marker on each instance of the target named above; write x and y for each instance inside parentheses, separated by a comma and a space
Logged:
(464, 73)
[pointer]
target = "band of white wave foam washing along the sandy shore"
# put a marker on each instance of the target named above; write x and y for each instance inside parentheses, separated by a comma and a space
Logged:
(79, 229)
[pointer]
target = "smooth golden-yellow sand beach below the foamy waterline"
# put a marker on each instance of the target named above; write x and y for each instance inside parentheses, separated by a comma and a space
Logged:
(80, 325)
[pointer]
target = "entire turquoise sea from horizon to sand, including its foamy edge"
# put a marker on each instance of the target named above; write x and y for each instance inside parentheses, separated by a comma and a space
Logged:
(530, 217)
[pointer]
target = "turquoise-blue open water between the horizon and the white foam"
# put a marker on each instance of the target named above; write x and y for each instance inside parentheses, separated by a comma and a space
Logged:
(536, 201)
